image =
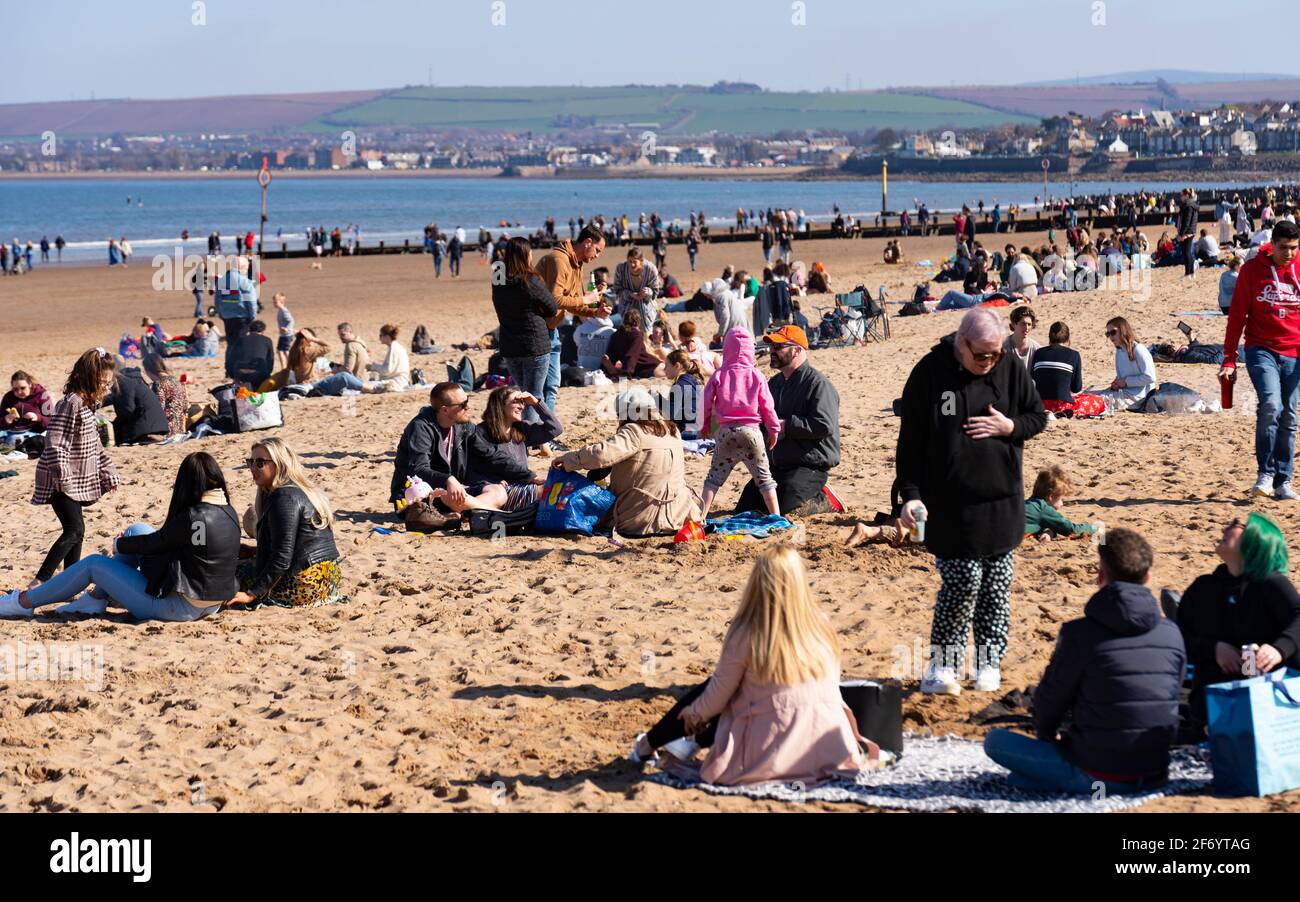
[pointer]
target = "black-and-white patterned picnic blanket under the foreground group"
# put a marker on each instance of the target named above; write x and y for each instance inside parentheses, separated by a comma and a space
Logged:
(950, 774)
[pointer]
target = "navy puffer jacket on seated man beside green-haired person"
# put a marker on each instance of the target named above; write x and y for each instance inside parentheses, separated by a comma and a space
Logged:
(1119, 673)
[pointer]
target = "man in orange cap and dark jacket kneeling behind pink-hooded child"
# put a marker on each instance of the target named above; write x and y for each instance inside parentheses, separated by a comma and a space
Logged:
(809, 446)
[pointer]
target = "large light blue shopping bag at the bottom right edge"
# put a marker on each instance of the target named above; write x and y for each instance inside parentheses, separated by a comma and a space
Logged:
(1255, 735)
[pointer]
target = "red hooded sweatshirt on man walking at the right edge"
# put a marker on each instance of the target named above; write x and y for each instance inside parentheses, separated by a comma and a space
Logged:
(1267, 307)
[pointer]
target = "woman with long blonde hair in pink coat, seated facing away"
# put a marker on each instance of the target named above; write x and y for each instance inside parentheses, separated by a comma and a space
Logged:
(773, 709)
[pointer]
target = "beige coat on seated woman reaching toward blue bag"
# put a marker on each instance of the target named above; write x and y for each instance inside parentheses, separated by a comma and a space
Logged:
(649, 480)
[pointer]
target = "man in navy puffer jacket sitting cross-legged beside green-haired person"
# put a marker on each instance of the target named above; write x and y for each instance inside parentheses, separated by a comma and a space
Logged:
(1117, 675)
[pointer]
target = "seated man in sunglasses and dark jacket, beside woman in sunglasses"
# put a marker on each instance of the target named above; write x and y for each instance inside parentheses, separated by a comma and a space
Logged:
(436, 449)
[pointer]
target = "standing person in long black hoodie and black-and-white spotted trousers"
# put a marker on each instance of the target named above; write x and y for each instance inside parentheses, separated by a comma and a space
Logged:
(968, 411)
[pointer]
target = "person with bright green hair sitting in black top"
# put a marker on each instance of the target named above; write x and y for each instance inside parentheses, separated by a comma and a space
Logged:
(1249, 601)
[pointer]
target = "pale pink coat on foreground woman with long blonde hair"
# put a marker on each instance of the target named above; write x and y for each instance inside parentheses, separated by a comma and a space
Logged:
(775, 734)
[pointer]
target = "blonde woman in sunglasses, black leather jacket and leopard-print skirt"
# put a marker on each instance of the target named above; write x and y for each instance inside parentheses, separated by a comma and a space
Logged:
(297, 561)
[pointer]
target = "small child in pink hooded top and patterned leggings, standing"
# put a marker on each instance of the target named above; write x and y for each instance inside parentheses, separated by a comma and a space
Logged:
(739, 401)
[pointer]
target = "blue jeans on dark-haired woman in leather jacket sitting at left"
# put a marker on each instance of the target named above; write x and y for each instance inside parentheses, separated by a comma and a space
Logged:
(120, 579)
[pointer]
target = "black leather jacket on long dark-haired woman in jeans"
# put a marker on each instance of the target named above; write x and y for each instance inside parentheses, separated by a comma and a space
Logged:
(207, 567)
